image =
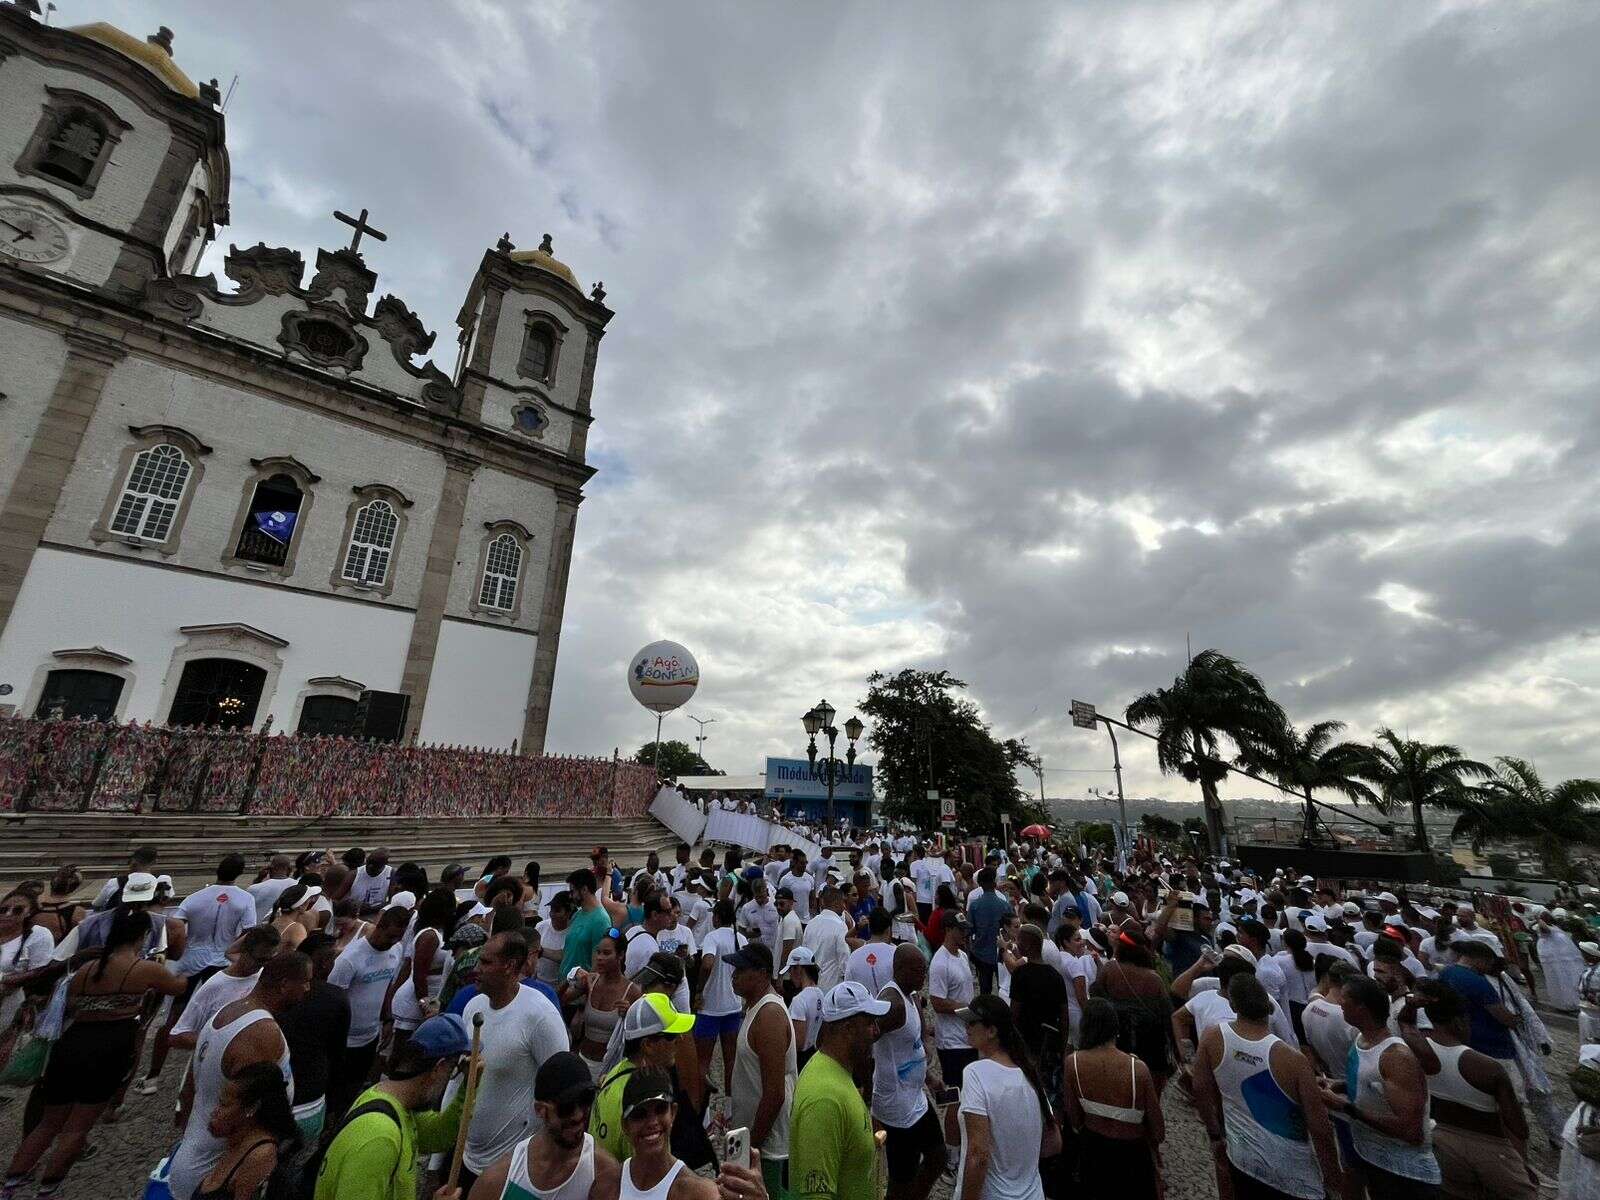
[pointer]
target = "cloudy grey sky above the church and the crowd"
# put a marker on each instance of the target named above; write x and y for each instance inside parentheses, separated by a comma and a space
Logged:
(1015, 340)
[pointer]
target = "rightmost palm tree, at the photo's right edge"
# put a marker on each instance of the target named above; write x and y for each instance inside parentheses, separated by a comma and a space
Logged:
(1516, 802)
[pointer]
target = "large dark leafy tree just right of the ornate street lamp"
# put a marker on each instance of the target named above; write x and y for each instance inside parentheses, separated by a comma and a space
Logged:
(927, 737)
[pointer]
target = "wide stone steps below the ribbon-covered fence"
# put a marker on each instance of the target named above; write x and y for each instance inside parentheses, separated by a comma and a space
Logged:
(33, 846)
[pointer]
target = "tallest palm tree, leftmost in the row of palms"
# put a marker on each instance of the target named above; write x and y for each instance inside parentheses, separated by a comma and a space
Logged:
(1217, 702)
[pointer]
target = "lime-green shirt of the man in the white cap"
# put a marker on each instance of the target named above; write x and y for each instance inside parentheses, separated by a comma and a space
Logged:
(831, 1150)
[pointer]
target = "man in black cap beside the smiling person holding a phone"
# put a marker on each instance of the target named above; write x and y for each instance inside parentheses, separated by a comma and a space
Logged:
(562, 1161)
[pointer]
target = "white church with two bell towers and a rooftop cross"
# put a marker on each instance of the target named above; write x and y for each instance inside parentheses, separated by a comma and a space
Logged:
(257, 503)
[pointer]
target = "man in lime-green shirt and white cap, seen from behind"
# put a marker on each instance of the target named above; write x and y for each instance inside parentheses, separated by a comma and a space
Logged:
(834, 1151)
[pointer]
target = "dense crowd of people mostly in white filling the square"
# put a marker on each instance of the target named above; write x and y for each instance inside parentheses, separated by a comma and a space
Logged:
(878, 1017)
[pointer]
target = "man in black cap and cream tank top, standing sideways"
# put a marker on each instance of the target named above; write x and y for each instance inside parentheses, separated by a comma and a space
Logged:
(766, 1063)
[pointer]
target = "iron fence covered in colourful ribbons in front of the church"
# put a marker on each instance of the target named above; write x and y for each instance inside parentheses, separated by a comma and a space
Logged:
(95, 767)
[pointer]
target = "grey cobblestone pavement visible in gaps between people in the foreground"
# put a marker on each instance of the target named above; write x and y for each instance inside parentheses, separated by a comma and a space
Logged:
(127, 1151)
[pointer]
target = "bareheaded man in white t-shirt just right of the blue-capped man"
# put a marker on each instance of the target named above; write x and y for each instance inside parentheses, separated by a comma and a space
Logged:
(521, 1031)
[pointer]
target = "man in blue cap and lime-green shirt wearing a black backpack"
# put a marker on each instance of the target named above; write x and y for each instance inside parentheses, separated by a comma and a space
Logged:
(374, 1154)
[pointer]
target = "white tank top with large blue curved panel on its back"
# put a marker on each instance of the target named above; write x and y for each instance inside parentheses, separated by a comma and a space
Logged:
(1266, 1129)
